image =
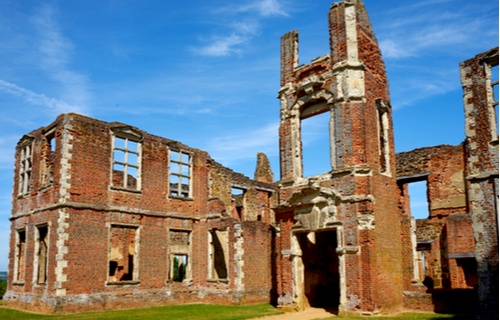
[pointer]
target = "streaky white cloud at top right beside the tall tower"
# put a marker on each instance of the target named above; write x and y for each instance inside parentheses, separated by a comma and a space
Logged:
(411, 33)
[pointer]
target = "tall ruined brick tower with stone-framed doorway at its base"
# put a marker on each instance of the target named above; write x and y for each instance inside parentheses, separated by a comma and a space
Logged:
(339, 234)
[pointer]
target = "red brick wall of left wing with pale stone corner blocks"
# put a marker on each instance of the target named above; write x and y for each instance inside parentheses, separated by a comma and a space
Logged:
(86, 216)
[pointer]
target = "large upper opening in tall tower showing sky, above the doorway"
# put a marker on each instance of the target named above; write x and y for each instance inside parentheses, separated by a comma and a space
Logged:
(315, 137)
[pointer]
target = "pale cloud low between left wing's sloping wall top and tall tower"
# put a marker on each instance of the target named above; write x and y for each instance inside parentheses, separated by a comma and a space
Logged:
(244, 145)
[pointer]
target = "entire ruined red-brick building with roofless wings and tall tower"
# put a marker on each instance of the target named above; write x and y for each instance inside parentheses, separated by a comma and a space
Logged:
(105, 215)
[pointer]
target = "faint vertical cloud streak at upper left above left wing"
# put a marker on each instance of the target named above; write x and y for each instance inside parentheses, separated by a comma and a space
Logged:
(55, 52)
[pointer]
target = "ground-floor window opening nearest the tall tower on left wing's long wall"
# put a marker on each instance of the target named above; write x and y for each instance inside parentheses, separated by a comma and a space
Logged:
(218, 254)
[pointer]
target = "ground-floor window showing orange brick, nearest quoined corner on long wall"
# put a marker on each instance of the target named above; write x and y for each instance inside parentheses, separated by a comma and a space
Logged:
(123, 252)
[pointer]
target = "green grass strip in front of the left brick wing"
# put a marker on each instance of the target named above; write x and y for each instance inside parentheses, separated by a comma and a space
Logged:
(182, 312)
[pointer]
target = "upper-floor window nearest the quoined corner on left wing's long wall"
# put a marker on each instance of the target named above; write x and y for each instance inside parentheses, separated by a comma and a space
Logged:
(126, 162)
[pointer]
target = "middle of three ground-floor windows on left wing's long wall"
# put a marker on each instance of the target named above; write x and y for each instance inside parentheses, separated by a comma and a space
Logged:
(179, 253)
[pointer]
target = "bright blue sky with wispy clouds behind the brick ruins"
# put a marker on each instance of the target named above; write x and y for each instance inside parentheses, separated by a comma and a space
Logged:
(206, 73)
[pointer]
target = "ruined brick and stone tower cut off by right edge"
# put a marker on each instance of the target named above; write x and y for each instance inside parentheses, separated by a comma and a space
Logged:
(481, 129)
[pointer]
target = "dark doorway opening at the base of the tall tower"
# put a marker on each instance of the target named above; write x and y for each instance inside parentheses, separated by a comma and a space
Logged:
(321, 268)
